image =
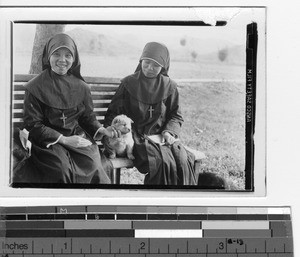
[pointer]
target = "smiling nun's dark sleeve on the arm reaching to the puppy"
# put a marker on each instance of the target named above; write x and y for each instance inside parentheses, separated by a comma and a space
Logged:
(88, 121)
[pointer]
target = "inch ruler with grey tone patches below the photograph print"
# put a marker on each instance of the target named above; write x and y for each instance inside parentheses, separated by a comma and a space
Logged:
(140, 231)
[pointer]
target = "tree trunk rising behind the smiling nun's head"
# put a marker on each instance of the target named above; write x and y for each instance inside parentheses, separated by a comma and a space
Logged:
(42, 34)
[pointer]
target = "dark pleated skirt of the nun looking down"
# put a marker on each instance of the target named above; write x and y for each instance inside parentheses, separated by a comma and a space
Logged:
(164, 165)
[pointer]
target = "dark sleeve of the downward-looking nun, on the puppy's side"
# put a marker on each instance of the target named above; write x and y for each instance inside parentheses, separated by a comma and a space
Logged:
(116, 106)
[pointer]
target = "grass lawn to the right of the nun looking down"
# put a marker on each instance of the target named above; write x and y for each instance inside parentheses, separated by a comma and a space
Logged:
(214, 124)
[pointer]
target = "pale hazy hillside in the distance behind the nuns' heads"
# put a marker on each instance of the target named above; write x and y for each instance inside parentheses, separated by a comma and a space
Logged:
(190, 49)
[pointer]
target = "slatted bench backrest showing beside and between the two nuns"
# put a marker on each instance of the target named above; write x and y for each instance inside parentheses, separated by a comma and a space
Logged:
(102, 90)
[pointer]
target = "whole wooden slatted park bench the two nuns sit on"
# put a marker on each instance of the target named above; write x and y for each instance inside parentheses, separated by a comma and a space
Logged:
(102, 90)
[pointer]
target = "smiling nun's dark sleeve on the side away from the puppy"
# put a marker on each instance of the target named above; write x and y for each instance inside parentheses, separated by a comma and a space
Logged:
(33, 120)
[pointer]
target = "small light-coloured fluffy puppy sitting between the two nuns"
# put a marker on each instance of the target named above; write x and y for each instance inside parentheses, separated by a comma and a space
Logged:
(122, 146)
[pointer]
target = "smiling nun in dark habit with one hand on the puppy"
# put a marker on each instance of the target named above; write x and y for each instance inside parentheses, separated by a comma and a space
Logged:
(58, 113)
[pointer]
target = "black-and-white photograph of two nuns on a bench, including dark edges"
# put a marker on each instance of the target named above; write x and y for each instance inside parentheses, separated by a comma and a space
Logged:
(131, 104)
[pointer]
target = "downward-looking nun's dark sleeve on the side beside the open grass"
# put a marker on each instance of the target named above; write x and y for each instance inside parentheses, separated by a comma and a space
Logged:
(174, 117)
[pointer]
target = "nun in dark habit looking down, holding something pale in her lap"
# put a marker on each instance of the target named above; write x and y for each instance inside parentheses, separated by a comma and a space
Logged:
(150, 98)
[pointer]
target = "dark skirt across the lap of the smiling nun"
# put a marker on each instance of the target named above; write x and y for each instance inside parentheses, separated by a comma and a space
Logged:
(58, 164)
